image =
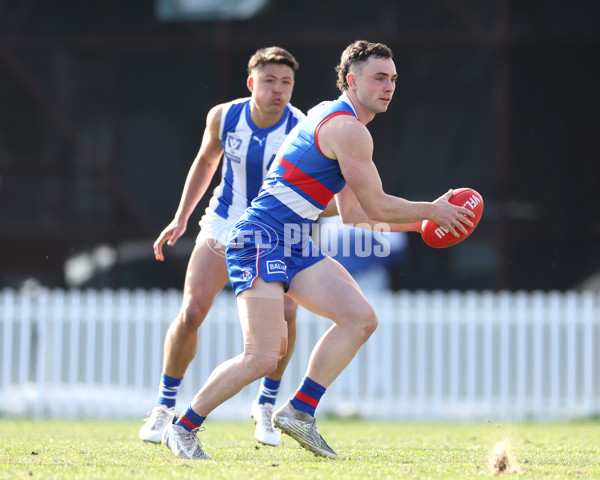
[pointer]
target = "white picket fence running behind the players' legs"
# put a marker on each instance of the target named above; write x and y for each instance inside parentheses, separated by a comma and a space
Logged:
(434, 356)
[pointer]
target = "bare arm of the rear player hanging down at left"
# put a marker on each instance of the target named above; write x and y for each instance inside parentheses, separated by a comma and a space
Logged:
(197, 182)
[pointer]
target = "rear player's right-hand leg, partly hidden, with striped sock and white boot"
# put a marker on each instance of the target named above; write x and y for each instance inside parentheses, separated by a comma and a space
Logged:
(262, 407)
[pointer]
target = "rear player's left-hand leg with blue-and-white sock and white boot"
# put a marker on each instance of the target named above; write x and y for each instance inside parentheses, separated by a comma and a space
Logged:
(205, 277)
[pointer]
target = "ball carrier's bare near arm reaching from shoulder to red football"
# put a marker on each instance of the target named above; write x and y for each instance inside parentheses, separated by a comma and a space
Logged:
(348, 141)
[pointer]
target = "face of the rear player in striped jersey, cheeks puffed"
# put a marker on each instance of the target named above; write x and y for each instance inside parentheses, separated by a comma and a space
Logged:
(272, 87)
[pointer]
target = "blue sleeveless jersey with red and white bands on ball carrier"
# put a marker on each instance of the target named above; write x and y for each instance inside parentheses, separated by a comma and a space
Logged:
(302, 180)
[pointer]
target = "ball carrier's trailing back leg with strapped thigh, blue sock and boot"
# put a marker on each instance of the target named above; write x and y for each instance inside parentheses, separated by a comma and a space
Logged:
(265, 342)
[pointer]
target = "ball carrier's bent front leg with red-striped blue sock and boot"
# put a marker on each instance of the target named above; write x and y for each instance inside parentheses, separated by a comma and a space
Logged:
(326, 289)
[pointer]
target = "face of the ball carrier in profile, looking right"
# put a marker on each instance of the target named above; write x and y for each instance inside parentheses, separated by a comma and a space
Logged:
(375, 84)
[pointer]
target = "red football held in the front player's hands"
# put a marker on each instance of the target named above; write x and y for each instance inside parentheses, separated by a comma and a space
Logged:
(438, 237)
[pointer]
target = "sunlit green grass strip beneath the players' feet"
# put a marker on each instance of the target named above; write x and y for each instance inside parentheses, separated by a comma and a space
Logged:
(368, 450)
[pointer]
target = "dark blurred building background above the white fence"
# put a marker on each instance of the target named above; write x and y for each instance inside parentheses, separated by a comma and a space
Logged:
(102, 109)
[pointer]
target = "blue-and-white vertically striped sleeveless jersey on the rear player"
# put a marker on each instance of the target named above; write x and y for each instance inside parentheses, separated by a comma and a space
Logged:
(248, 154)
